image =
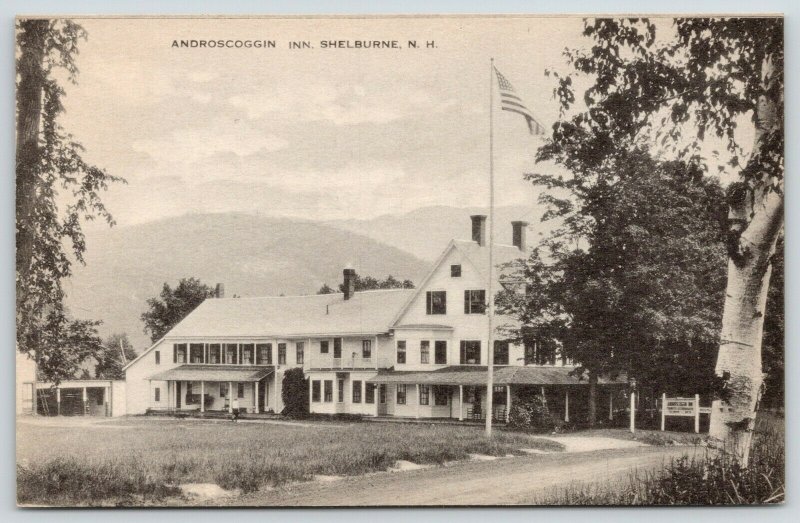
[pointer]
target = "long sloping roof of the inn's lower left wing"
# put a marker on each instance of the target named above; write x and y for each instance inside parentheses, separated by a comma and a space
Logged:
(367, 312)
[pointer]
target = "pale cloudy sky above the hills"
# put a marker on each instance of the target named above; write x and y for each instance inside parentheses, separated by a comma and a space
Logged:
(313, 133)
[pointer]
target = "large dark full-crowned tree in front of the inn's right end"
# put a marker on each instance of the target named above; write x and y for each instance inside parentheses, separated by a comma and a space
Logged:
(633, 278)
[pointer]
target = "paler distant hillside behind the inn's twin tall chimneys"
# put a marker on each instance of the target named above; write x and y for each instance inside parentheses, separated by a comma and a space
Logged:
(425, 232)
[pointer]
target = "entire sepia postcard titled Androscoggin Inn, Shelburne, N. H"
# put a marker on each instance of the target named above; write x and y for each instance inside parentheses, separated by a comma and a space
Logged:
(399, 260)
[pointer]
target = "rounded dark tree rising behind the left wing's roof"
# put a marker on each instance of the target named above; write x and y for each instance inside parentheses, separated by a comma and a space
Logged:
(173, 305)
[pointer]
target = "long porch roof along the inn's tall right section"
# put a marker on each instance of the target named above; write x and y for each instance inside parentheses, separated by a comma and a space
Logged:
(506, 375)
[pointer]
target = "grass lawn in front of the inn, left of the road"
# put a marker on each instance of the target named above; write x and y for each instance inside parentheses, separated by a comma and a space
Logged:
(140, 460)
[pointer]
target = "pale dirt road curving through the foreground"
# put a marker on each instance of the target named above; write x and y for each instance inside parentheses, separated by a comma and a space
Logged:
(505, 481)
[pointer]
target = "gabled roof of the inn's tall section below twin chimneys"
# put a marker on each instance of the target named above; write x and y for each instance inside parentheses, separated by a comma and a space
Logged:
(477, 256)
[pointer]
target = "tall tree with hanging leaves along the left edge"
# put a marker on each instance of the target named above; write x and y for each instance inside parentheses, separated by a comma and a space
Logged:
(49, 167)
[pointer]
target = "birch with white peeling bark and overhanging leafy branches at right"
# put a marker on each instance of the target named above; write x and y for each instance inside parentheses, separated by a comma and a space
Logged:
(682, 89)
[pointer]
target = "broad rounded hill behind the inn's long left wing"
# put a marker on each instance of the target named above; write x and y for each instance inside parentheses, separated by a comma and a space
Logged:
(251, 255)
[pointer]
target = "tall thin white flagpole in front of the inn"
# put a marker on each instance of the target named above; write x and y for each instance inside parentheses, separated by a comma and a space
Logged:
(489, 293)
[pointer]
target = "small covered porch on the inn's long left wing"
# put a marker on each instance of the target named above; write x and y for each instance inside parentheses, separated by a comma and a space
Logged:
(214, 388)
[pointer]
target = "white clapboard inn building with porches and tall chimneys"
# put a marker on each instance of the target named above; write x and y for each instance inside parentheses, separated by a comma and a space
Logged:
(417, 353)
